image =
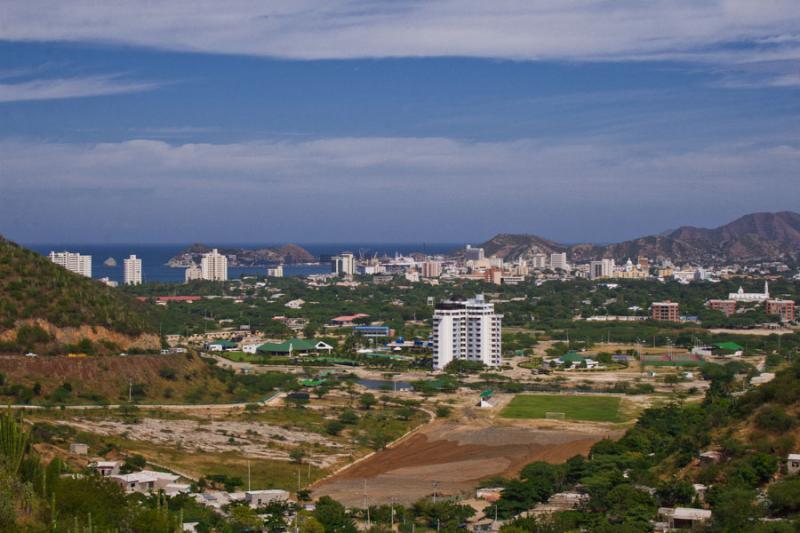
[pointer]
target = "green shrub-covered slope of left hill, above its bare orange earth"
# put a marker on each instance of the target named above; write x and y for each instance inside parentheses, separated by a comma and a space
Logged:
(31, 287)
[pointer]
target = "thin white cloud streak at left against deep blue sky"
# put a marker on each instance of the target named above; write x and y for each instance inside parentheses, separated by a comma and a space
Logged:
(75, 87)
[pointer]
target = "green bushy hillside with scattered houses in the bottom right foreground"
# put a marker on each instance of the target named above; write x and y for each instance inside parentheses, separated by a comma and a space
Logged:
(657, 464)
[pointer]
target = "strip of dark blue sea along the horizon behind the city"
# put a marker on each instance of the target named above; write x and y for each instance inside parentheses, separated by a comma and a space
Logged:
(155, 257)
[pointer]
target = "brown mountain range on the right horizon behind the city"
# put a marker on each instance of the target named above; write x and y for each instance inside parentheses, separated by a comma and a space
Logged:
(758, 236)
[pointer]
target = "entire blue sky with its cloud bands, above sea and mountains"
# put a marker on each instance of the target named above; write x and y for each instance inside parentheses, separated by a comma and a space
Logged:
(312, 121)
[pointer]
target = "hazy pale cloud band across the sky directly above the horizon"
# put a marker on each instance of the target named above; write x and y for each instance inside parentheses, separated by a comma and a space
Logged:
(439, 187)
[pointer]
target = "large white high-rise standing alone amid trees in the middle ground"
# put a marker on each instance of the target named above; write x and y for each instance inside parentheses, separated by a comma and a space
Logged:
(468, 330)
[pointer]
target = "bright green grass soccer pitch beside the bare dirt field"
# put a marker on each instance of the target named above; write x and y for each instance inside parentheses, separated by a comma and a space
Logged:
(591, 408)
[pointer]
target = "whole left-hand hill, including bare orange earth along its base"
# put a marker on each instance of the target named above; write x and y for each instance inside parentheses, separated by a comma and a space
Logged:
(44, 305)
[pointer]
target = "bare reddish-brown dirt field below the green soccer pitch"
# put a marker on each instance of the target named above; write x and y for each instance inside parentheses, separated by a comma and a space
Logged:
(455, 456)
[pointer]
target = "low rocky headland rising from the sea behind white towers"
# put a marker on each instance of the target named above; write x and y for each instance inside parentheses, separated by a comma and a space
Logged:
(246, 257)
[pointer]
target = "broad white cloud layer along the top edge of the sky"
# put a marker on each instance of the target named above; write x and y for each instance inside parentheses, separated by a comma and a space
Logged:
(325, 29)
